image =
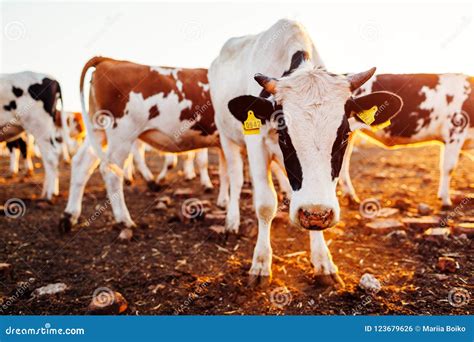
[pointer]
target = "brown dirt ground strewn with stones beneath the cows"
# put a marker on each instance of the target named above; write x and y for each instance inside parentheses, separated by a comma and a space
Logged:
(175, 267)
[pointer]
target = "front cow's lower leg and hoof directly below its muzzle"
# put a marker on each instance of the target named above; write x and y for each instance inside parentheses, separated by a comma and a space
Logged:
(326, 272)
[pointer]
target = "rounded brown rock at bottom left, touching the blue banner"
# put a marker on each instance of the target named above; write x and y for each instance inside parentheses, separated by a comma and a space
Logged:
(107, 302)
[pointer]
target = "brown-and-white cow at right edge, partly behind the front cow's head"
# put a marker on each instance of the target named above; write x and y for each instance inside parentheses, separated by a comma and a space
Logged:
(437, 107)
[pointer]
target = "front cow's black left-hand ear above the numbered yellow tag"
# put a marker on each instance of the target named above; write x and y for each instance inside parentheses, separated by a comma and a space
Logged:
(242, 105)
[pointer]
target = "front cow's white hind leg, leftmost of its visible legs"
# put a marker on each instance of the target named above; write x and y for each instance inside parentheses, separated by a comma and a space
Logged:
(236, 180)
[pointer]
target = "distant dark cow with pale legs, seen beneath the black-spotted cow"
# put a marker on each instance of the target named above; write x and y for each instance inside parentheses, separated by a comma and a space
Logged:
(22, 145)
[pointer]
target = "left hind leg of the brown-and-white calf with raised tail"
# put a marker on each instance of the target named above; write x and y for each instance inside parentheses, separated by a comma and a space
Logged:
(83, 165)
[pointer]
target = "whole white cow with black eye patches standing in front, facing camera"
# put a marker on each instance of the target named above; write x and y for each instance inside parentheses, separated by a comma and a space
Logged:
(301, 120)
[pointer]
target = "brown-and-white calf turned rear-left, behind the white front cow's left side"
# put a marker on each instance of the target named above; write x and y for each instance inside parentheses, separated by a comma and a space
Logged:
(168, 108)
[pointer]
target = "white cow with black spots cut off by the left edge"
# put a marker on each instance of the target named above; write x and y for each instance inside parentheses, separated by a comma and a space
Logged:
(28, 103)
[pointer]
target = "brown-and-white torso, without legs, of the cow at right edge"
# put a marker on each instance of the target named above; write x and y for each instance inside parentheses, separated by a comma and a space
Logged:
(429, 103)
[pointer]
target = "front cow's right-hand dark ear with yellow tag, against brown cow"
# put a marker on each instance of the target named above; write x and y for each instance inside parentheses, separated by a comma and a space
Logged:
(374, 109)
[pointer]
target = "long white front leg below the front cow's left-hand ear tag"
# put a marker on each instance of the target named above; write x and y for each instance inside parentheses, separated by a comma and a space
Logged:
(265, 201)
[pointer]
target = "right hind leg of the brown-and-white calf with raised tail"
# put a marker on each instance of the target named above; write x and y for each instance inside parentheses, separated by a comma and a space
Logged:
(112, 173)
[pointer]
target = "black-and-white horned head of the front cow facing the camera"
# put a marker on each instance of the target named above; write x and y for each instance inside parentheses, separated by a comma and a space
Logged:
(315, 111)
